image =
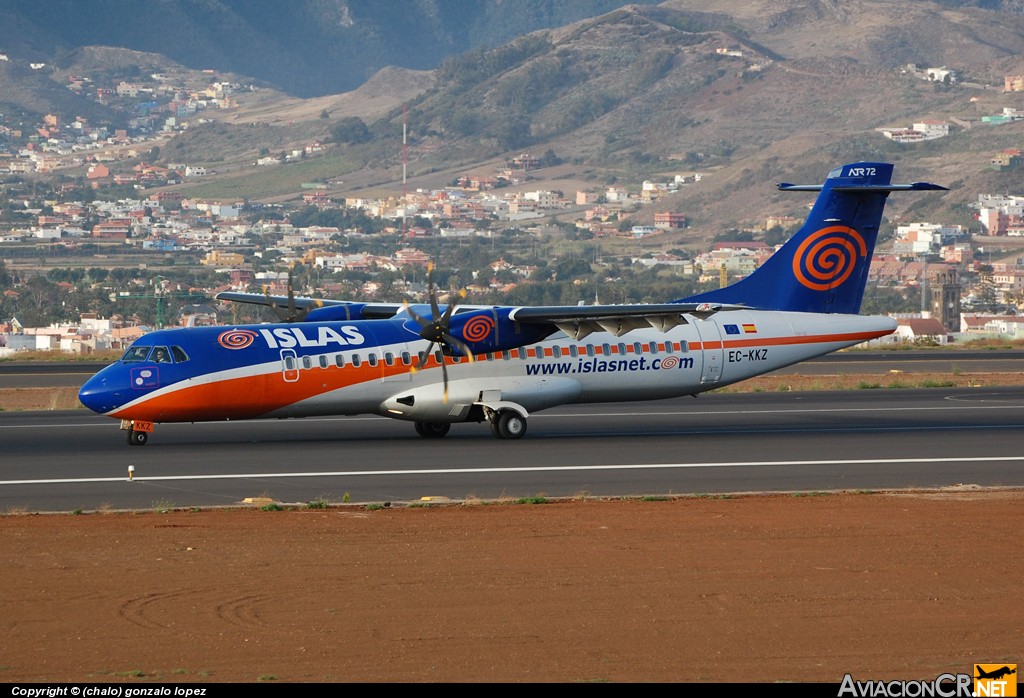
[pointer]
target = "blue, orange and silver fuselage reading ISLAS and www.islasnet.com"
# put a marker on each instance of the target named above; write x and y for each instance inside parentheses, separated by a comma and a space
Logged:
(367, 367)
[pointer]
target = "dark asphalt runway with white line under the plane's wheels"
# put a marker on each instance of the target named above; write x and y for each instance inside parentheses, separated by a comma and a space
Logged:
(716, 445)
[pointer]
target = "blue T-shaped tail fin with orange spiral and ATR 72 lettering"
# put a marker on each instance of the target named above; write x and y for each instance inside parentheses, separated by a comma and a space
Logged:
(824, 268)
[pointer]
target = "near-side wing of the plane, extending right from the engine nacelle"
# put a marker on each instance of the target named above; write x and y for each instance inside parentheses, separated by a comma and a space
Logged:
(580, 321)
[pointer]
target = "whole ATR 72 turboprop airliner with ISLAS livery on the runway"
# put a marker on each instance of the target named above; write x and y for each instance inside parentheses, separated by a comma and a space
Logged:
(436, 365)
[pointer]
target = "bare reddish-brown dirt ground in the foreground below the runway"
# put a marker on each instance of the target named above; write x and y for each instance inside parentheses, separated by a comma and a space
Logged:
(744, 589)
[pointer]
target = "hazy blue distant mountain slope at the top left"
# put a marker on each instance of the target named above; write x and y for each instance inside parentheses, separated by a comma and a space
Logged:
(302, 48)
